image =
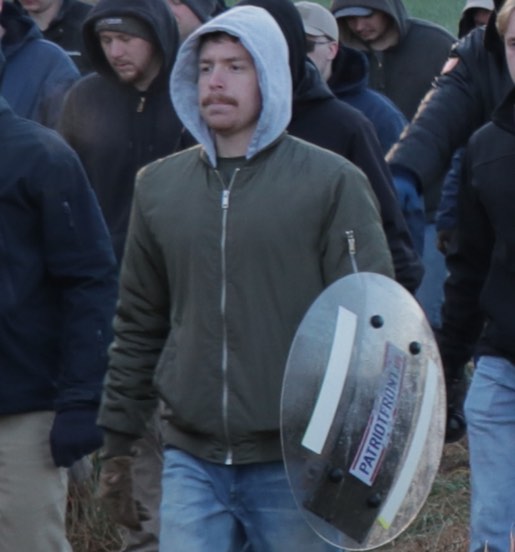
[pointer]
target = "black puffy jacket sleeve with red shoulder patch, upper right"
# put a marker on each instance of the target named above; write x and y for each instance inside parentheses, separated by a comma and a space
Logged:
(461, 100)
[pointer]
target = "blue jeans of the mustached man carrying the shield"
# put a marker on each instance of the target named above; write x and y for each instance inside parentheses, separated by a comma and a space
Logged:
(208, 507)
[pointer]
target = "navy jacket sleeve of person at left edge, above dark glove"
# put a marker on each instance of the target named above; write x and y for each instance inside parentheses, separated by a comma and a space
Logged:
(80, 264)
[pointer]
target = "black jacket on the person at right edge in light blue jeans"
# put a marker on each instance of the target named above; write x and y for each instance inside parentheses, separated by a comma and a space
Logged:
(480, 290)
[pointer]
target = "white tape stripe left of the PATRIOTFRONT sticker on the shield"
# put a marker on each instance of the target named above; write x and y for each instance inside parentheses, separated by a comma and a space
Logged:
(334, 380)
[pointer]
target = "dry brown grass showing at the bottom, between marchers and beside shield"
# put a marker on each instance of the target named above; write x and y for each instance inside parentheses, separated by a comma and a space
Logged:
(441, 526)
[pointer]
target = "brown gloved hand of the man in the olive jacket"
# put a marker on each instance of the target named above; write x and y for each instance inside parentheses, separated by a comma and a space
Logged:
(116, 493)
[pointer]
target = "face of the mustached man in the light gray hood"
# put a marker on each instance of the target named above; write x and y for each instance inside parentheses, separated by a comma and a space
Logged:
(229, 95)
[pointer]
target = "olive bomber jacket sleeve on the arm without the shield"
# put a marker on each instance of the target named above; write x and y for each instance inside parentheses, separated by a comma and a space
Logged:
(141, 326)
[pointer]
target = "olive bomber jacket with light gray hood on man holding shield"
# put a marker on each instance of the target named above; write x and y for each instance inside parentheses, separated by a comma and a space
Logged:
(218, 274)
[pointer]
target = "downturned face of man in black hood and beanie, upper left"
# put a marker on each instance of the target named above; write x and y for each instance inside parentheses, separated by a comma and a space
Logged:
(133, 59)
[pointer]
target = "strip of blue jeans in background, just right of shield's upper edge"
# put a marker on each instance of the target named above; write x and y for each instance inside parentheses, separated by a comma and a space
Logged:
(430, 292)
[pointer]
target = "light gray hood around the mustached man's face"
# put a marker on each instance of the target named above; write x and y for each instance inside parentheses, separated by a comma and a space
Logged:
(263, 39)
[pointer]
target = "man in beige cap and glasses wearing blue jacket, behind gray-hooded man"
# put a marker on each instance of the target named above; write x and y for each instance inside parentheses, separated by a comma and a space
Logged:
(346, 72)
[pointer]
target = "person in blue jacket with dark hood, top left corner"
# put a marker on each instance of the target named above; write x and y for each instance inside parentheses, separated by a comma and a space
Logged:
(37, 73)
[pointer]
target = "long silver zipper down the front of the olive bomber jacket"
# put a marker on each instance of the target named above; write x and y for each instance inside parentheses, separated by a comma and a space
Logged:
(226, 192)
